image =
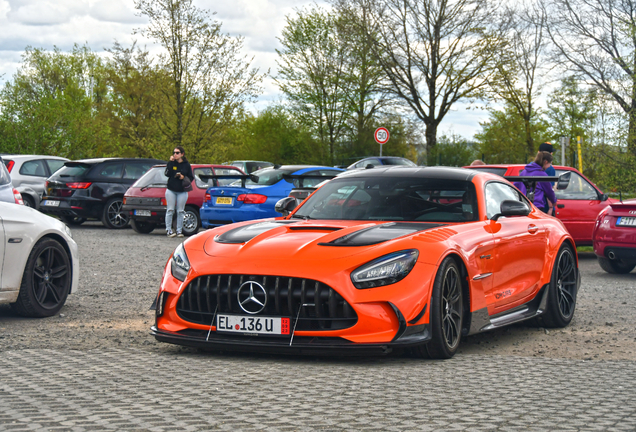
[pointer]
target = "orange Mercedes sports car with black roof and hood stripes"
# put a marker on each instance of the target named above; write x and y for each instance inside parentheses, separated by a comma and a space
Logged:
(374, 260)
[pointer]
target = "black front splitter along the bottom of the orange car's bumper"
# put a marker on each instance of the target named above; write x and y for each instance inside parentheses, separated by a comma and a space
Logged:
(300, 345)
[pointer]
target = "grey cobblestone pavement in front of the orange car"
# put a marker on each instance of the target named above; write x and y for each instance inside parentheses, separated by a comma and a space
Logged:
(136, 390)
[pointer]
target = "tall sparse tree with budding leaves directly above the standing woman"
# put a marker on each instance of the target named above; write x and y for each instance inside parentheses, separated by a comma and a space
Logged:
(209, 79)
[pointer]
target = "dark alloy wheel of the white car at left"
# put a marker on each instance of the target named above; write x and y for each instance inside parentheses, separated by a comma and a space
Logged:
(46, 281)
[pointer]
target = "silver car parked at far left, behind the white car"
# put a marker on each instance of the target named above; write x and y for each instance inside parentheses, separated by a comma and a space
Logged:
(29, 174)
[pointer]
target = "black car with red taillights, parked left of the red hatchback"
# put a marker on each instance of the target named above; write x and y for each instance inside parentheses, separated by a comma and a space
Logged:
(93, 189)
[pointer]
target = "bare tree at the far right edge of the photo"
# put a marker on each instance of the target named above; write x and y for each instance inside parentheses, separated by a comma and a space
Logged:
(596, 40)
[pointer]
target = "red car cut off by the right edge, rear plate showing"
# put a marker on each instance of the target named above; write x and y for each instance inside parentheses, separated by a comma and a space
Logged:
(615, 237)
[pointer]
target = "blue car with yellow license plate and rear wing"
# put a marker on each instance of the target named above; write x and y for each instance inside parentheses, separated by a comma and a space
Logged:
(259, 194)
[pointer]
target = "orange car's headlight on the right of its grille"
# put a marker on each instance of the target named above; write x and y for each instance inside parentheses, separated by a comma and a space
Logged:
(385, 270)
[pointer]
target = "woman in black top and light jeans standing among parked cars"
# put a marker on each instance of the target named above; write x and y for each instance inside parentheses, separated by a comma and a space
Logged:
(176, 197)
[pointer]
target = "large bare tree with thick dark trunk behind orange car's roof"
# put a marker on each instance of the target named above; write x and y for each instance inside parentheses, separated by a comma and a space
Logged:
(434, 52)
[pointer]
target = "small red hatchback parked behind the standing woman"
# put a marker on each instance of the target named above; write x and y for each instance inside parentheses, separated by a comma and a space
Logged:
(145, 200)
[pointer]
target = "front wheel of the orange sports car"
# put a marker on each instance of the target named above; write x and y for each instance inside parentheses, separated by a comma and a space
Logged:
(446, 317)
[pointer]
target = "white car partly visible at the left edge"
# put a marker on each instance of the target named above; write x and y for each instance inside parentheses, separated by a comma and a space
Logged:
(39, 266)
